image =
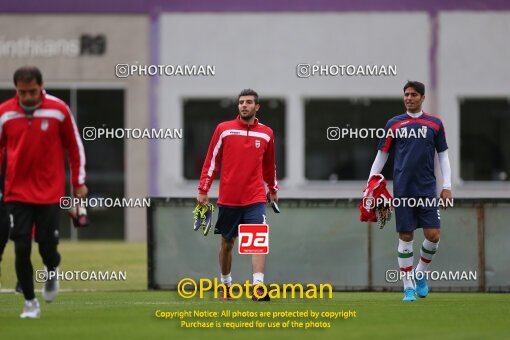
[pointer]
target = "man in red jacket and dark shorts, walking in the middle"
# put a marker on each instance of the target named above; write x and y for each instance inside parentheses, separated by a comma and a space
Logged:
(244, 149)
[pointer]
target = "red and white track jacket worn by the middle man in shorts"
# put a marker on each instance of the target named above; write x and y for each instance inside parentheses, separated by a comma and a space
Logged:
(246, 156)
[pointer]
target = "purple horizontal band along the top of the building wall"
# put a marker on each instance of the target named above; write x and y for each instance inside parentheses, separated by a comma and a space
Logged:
(151, 6)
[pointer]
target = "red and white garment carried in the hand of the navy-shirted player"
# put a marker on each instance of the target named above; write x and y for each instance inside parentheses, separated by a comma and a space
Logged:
(376, 188)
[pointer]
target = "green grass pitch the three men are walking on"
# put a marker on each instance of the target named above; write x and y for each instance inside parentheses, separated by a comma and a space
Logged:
(125, 310)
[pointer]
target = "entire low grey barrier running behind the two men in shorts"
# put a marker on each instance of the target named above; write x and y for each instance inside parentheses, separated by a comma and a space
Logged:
(322, 241)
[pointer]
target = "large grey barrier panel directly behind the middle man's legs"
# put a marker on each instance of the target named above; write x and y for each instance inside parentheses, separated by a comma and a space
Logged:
(322, 245)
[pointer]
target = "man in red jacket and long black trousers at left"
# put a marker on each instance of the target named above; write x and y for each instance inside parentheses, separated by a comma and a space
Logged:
(36, 131)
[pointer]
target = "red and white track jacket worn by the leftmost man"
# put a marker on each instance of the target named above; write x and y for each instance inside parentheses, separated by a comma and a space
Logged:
(36, 148)
